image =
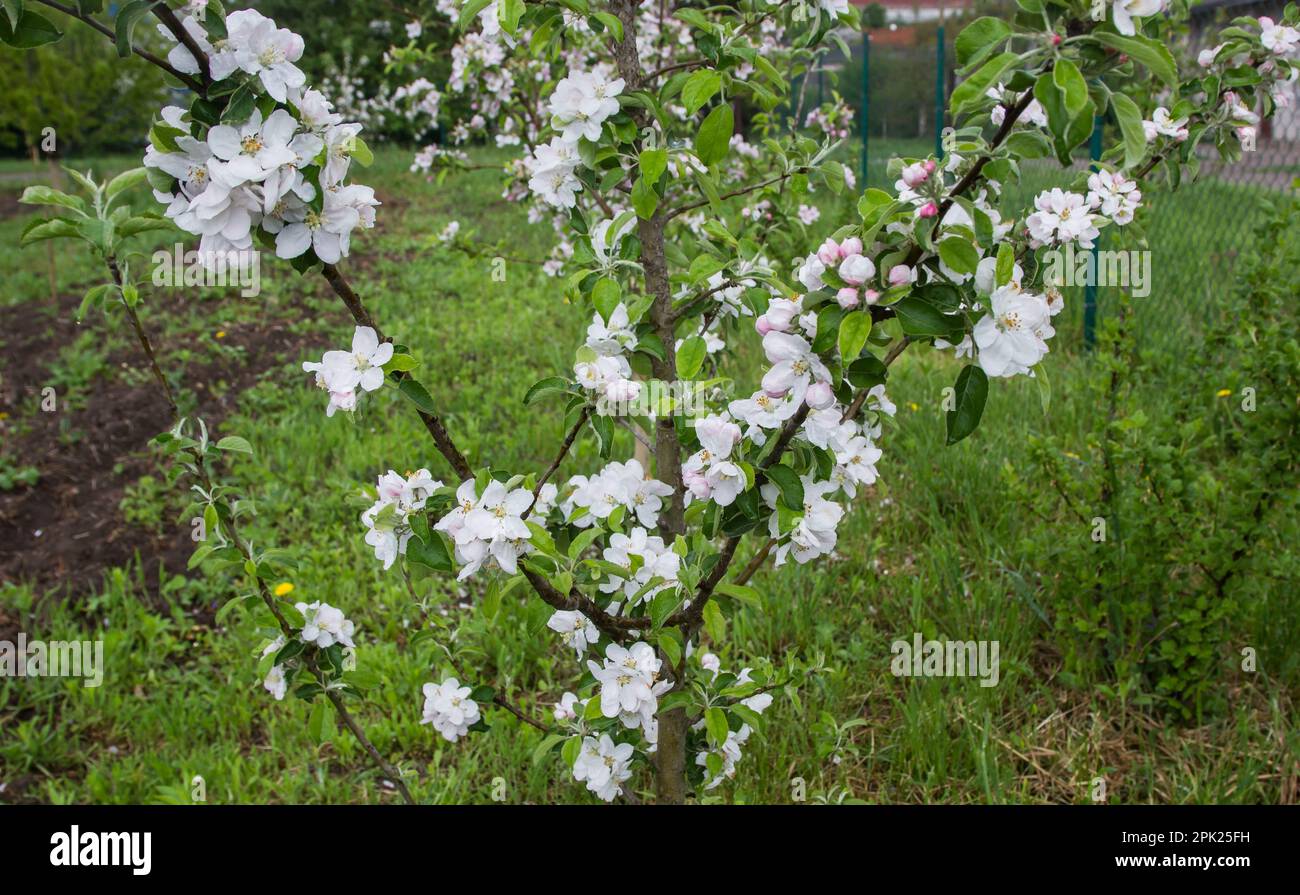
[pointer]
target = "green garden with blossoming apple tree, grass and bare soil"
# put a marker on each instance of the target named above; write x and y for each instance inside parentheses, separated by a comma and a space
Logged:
(543, 403)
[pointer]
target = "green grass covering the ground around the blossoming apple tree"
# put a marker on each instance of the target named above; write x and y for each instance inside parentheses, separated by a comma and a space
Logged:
(933, 550)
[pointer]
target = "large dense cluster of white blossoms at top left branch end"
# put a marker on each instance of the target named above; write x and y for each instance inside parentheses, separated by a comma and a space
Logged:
(279, 168)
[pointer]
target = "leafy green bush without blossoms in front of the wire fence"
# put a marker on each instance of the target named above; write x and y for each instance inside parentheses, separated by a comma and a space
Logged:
(1175, 529)
